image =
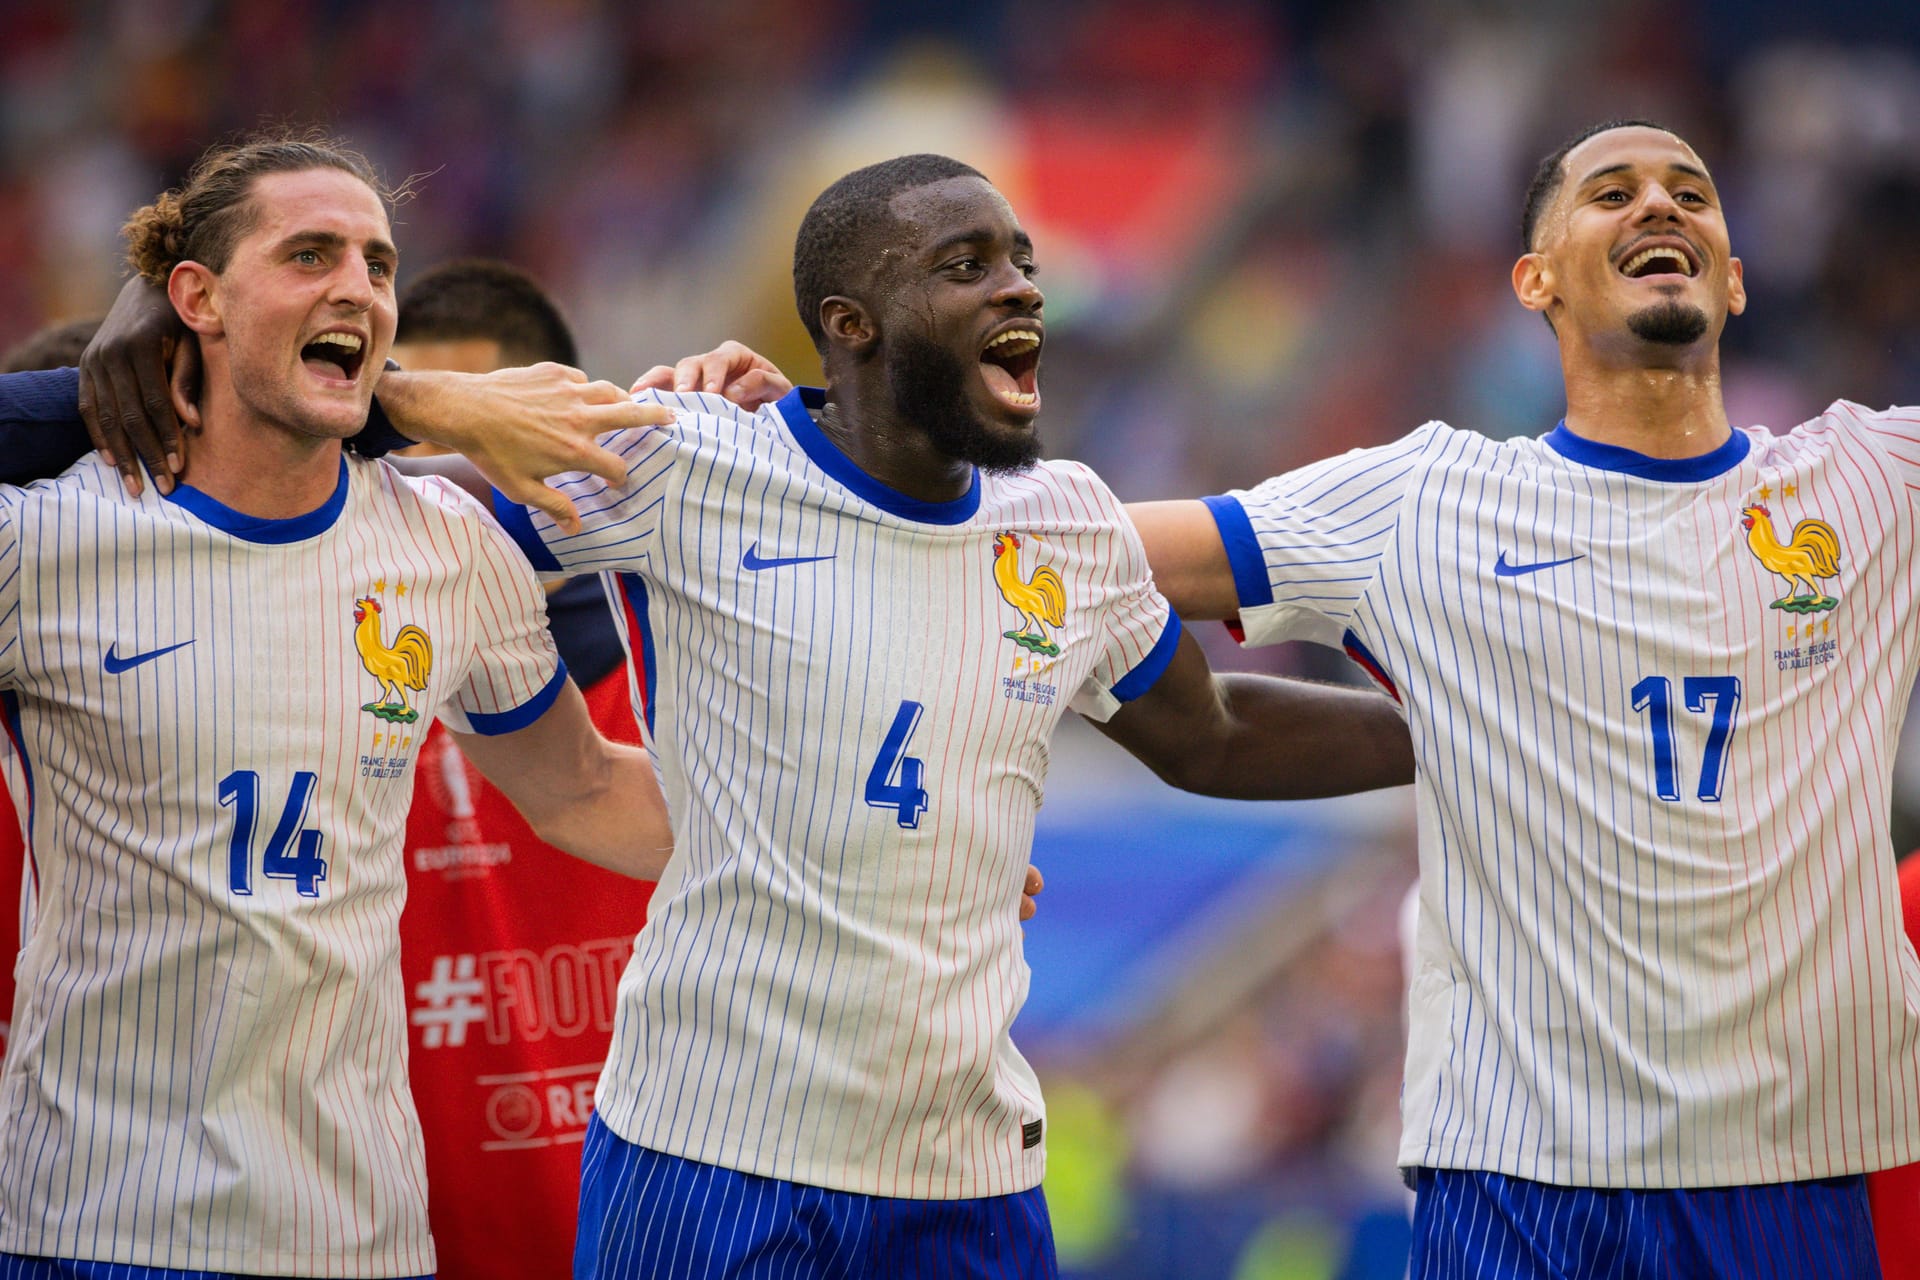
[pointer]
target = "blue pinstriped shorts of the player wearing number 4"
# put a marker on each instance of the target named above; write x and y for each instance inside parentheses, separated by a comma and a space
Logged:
(646, 1216)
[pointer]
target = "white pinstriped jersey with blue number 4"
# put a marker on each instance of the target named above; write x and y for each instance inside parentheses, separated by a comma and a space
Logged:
(850, 696)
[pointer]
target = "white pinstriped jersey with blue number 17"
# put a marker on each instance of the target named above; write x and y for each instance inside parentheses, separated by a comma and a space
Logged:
(1654, 707)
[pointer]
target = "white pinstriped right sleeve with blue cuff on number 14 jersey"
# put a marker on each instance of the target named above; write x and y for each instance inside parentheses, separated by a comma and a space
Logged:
(516, 671)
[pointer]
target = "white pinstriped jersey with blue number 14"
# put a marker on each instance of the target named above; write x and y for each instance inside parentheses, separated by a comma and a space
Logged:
(220, 719)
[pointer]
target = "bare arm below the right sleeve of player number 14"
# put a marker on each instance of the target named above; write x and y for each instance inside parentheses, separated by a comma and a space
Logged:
(579, 792)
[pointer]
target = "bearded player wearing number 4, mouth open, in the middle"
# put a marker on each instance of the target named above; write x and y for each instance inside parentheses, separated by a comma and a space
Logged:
(855, 621)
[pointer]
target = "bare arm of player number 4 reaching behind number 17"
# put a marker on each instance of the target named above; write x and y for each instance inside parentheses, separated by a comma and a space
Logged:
(1262, 738)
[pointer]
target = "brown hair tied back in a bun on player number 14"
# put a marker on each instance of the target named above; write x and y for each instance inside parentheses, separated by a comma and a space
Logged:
(212, 212)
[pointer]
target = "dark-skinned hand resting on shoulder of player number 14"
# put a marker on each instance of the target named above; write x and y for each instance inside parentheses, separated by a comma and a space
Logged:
(130, 400)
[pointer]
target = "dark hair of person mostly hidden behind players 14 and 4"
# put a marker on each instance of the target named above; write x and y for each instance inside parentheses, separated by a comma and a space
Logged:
(487, 298)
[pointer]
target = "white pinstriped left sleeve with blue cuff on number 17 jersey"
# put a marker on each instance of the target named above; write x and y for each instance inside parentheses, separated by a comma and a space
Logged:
(1307, 546)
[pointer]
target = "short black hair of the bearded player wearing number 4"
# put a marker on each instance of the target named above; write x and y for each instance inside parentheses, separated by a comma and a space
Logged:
(840, 229)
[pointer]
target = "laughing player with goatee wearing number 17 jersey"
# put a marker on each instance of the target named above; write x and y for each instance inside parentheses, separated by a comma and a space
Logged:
(1664, 1016)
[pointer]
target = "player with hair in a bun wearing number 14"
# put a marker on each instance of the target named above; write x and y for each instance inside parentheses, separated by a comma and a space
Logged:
(220, 699)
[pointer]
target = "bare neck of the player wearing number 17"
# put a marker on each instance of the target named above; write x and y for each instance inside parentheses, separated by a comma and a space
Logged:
(1666, 414)
